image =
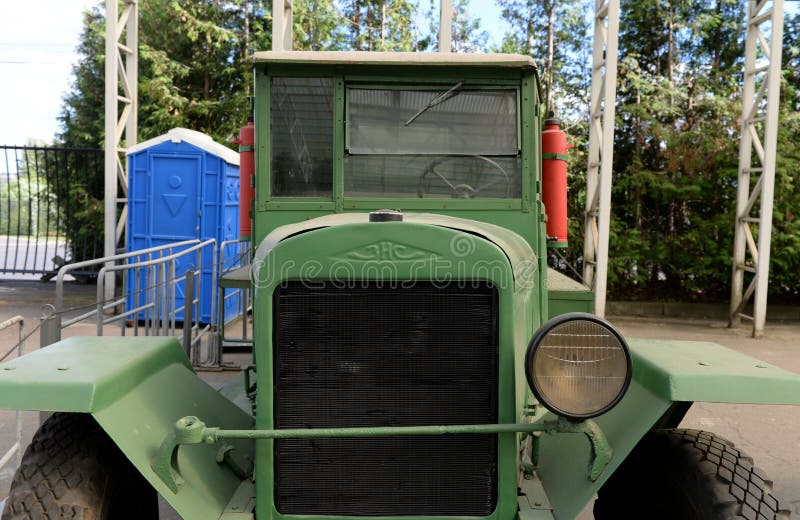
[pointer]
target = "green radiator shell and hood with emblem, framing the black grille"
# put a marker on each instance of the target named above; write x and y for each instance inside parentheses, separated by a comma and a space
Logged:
(405, 250)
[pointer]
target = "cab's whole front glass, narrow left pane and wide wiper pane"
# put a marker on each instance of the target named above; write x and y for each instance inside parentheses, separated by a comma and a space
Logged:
(452, 140)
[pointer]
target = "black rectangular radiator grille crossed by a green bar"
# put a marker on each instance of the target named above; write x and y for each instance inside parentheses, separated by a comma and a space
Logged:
(373, 354)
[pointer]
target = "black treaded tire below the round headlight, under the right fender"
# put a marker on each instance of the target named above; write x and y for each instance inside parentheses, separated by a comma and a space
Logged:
(687, 475)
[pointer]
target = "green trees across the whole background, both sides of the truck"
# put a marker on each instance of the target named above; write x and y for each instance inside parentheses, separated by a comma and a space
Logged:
(678, 112)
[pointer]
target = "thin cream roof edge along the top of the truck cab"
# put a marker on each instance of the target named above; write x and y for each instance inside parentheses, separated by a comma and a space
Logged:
(513, 61)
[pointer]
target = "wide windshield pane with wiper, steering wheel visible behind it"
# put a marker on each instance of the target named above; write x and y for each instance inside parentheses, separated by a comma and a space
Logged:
(453, 142)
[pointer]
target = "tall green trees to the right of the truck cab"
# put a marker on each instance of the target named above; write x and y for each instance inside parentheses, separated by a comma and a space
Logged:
(676, 150)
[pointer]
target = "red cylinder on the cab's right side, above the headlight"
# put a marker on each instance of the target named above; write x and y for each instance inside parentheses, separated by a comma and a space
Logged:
(554, 182)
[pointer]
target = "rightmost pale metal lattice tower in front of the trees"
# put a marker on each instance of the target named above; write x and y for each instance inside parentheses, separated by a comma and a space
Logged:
(756, 179)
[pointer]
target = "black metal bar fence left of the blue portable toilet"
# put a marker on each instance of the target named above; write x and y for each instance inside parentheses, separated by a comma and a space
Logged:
(51, 207)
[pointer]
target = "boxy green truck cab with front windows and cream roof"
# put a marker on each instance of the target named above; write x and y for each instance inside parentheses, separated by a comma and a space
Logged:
(453, 134)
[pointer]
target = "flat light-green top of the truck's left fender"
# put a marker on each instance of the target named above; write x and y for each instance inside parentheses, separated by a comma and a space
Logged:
(84, 374)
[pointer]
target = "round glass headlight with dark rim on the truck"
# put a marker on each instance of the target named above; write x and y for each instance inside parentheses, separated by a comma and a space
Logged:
(578, 365)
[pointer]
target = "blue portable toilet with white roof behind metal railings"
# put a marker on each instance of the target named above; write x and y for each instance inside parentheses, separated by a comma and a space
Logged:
(183, 185)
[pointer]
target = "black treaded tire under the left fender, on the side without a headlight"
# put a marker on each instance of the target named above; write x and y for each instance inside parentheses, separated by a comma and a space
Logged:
(73, 470)
